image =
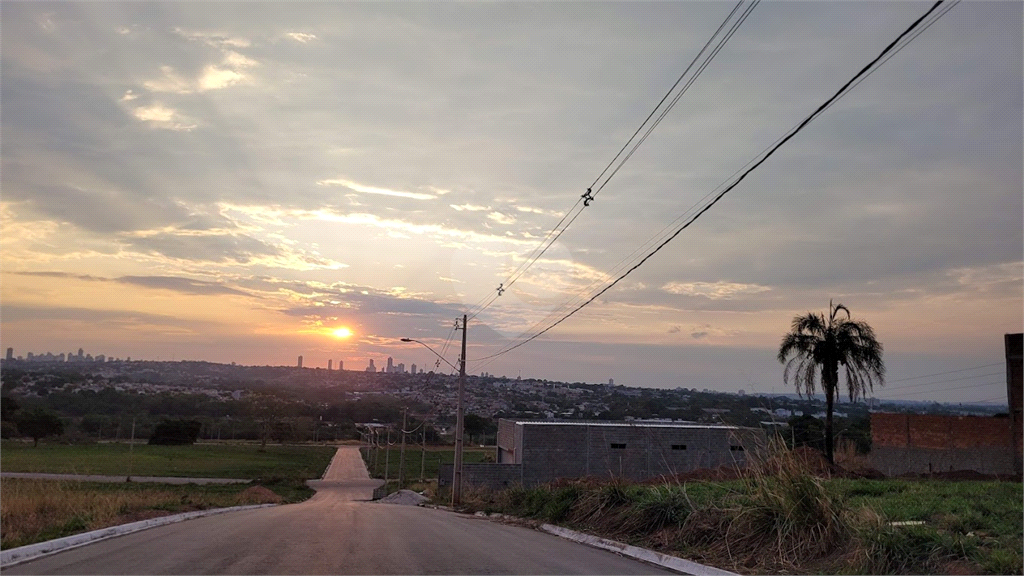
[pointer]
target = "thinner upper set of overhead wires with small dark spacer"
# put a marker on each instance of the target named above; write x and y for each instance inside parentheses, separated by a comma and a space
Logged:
(559, 230)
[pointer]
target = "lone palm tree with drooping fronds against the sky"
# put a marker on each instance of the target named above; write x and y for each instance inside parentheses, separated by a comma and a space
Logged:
(819, 343)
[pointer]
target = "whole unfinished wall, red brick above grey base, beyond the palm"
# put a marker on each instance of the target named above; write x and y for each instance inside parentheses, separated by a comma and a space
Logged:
(915, 443)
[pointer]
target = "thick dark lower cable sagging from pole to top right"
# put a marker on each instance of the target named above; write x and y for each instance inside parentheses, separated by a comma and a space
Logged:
(882, 58)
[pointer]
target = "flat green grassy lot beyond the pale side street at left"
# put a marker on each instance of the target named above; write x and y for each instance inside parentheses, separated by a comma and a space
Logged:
(201, 461)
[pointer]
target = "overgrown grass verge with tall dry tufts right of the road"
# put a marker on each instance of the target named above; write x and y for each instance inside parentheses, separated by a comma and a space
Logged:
(782, 519)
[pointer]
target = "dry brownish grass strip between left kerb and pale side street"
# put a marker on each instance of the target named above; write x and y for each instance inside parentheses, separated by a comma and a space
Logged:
(36, 511)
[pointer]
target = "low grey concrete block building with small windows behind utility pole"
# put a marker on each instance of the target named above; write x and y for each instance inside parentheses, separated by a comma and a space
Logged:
(532, 452)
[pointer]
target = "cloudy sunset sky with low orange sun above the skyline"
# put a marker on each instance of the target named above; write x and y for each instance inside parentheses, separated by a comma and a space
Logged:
(252, 182)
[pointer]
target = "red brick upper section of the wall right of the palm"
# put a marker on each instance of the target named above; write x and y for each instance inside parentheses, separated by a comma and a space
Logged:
(941, 433)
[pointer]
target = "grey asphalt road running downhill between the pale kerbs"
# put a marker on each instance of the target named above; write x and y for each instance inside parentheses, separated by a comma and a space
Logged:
(338, 531)
